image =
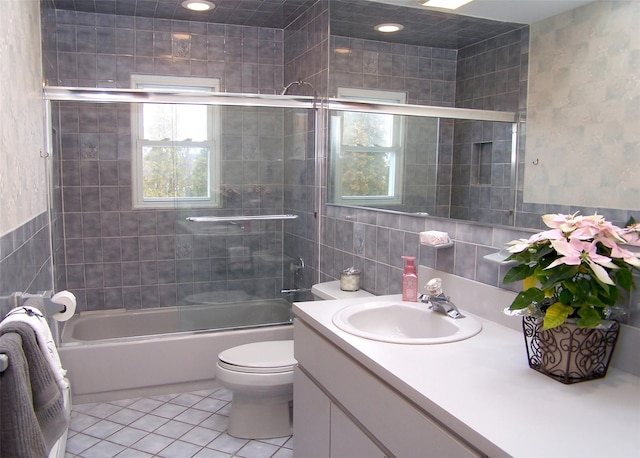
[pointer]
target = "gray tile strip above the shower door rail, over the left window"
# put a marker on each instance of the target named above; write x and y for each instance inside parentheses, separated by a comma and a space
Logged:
(103, 50)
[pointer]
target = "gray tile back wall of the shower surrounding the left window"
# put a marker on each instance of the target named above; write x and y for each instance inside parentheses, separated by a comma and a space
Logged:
(115, 256)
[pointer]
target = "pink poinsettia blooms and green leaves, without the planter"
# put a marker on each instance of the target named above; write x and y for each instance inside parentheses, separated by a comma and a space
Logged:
(579, 268)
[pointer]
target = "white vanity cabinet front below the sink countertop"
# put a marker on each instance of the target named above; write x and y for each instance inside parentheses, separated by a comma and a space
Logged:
(341, 409)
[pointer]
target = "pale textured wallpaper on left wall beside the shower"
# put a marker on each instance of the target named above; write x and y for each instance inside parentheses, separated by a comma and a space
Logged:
(22, 171)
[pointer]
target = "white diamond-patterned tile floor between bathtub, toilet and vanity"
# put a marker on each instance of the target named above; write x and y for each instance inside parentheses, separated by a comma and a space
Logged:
(181, 425)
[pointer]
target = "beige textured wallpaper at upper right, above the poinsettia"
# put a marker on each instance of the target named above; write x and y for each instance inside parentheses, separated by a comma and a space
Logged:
(583, 118)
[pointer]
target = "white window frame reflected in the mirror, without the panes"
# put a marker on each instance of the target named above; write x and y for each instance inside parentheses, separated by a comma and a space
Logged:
(397, 172)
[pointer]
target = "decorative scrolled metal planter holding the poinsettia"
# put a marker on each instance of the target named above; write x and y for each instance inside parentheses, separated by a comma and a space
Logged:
(570, 354)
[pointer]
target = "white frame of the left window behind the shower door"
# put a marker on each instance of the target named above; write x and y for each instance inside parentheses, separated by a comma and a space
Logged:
(181, 84)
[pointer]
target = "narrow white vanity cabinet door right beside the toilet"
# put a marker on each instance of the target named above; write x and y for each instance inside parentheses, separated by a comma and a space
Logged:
(311, 418)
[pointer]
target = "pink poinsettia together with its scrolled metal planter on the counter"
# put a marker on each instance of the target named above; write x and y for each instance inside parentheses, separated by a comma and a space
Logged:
(574, 276)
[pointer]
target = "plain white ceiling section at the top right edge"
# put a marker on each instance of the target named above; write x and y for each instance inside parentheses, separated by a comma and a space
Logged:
(521, 11)
